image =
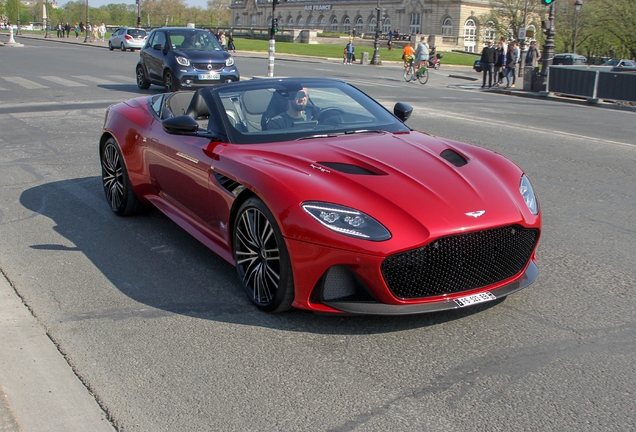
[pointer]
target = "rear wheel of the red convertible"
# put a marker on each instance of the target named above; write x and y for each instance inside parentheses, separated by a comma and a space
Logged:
(117, 187)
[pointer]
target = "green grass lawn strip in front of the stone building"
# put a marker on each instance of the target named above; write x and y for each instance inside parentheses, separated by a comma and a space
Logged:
(335, 51)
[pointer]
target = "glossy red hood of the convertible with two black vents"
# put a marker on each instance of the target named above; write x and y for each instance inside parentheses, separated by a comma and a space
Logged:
(416, 180)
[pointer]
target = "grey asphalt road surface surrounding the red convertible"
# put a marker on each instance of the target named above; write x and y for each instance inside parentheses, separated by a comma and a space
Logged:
(157, 328)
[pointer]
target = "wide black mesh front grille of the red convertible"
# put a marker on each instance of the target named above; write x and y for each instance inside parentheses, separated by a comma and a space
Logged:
(460, 262)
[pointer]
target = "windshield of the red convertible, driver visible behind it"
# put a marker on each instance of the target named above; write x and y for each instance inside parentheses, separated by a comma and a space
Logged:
(293, 109)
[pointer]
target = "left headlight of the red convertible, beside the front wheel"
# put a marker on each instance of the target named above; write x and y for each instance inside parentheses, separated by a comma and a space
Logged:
(347, 221)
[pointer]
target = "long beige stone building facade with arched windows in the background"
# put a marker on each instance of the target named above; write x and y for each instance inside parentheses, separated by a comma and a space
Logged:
(450, 24)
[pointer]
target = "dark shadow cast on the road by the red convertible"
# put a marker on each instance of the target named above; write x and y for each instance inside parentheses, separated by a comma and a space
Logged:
(166, 271)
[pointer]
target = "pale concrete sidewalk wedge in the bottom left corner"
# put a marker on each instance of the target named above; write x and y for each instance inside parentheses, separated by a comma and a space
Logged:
(38, 389)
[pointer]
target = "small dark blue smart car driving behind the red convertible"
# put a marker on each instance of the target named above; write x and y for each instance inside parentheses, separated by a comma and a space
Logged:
(179, 58)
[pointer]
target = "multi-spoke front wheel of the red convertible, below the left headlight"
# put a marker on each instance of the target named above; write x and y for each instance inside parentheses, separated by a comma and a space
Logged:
(261, 257)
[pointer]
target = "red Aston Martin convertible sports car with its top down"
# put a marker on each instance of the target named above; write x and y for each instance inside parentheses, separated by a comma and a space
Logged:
(323, 199)
